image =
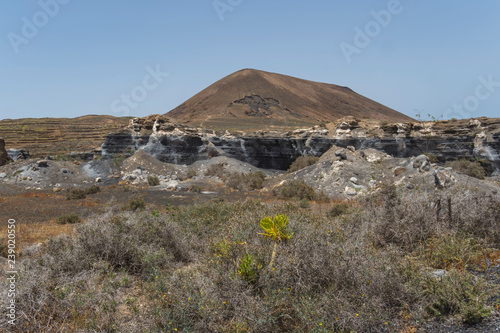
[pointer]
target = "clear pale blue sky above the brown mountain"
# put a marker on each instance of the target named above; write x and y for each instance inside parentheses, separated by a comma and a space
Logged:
(67, 58)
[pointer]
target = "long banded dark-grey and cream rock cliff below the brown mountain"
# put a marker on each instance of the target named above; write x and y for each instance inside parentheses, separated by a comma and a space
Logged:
(444, 140)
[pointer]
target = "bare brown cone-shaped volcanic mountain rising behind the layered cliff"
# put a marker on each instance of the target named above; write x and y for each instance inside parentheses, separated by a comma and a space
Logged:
(252, 99)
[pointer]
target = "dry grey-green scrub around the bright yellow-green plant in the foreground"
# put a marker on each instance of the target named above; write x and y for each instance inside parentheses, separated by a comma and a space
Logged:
(389, 262)
